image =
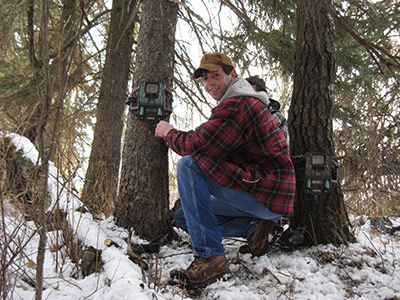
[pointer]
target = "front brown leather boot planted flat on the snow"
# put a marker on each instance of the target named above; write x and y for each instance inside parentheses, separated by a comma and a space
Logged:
(201, 272)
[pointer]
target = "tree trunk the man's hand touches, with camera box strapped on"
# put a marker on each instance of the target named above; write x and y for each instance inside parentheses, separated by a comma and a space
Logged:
(143, 201)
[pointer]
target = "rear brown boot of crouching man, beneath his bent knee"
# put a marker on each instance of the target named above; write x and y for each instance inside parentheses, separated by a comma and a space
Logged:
(258, 242)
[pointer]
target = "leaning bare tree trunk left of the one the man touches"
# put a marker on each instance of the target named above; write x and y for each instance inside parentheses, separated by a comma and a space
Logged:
(101, 180)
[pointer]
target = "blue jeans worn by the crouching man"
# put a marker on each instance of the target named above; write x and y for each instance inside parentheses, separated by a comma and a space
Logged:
(210, 211)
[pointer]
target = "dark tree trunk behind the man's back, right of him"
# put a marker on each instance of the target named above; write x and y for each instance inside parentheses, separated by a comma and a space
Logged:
(310, 122)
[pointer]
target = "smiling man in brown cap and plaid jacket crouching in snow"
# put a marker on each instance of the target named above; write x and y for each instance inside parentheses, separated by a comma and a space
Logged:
(235, 177)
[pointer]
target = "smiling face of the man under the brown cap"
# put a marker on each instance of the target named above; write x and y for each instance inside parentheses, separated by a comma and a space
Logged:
(216, 83)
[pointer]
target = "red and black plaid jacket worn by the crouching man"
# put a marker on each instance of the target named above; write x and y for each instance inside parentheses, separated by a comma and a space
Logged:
(241, 147)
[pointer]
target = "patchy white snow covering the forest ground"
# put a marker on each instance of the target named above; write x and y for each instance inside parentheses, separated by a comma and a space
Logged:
(367, 269)
